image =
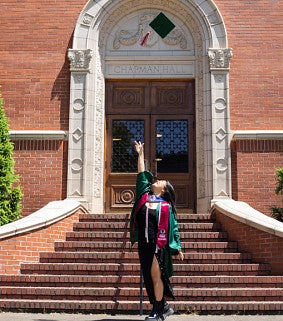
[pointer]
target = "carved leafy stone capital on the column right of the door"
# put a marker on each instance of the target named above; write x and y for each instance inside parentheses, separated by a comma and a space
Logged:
(219, 59)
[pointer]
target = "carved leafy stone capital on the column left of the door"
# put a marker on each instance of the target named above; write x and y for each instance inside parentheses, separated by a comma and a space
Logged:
(79, 59)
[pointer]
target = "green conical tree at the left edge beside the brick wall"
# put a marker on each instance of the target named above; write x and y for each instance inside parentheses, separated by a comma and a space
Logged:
(10, 190)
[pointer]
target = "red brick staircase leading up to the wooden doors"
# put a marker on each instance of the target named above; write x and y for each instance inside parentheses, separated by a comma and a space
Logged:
(97, 270)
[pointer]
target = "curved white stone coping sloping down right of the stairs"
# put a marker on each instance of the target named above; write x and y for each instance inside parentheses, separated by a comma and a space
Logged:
(244, 213)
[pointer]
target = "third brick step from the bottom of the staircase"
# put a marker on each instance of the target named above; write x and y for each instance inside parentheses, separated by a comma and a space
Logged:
(101, 280)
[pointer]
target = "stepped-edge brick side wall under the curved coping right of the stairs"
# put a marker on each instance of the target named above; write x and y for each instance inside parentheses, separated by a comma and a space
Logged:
(264, 247)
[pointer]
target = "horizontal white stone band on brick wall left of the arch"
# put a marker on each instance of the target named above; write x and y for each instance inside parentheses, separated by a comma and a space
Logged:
(38, 135)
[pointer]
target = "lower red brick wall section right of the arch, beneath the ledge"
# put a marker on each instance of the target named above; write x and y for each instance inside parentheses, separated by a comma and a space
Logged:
(253, 172)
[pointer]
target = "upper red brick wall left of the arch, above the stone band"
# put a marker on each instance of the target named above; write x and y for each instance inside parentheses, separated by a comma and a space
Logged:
(34, 75)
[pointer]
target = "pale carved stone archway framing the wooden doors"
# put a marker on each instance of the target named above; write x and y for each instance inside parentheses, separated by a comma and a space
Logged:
(89, 65)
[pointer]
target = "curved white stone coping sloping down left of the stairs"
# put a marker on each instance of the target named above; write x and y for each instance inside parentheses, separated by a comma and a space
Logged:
(49, 214)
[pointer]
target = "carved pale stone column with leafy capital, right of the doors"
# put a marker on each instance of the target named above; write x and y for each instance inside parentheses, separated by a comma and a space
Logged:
(219, 69)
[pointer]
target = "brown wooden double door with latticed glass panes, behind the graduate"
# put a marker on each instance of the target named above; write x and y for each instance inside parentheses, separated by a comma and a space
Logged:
(160, 114)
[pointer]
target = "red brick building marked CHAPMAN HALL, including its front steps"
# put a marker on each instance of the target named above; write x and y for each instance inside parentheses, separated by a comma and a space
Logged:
(200, 82)
